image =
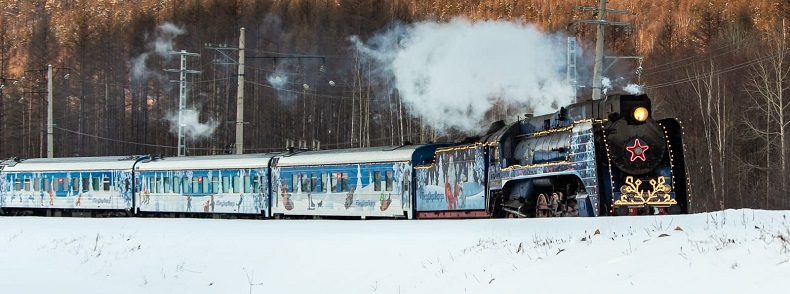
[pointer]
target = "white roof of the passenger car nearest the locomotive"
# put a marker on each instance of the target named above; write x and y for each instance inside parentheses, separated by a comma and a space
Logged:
(359, 155)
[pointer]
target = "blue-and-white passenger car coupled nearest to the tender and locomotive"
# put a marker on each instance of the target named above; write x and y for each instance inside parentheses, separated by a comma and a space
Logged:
(362, 182)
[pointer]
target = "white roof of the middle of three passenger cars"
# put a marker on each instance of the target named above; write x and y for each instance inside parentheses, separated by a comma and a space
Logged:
(249, 161)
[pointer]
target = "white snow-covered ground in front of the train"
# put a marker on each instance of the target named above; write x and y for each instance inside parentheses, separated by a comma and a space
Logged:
(732, 251)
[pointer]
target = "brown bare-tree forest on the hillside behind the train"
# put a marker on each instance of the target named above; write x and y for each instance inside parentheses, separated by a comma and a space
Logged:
(718, 65)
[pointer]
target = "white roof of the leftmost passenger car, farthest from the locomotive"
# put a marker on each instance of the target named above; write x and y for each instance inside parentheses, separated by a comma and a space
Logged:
(68, 164)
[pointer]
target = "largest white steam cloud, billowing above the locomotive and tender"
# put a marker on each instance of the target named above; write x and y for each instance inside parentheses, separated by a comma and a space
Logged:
(451, 74)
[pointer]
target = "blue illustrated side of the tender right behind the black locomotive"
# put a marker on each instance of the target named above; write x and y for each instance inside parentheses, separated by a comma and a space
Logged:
(455, 182)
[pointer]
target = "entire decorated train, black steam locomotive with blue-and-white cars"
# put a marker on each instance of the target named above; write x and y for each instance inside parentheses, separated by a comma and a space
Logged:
(603, 157)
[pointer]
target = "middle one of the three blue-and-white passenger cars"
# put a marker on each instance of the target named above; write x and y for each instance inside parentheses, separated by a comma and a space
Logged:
(220, 184)
